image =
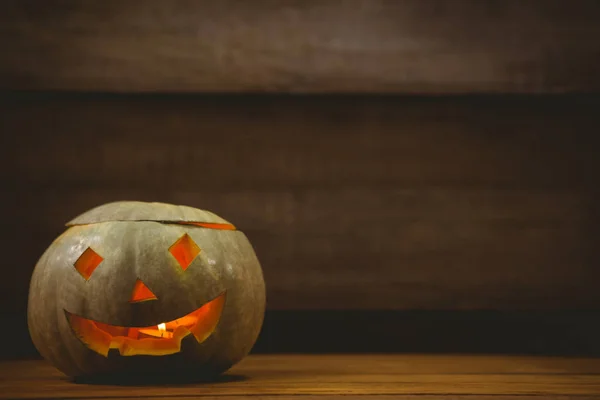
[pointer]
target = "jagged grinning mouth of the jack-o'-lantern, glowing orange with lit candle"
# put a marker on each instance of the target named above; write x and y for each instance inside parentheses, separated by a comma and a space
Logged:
(157, 340)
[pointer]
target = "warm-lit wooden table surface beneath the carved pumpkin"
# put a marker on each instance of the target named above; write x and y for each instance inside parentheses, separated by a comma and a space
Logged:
(274, 377)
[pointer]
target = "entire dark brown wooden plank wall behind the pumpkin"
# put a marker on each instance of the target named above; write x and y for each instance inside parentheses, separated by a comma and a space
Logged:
(486, 198)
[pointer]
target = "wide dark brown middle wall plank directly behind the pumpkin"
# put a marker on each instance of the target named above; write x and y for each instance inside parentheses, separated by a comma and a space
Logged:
(351, 203)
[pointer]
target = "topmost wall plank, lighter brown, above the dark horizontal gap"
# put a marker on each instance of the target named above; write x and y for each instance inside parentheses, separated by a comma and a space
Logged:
(372, 46)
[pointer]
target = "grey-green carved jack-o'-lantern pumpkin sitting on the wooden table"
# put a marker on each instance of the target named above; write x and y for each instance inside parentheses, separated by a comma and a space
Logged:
(134, 240)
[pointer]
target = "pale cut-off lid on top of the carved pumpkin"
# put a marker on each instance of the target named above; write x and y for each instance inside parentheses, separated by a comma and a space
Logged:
(143, 211)
